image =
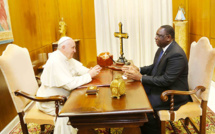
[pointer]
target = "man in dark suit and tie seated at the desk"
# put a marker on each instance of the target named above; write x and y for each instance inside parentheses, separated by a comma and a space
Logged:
(169, 71)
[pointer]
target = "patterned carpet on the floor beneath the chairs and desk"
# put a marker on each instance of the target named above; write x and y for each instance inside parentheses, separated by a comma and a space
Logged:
(210, 127)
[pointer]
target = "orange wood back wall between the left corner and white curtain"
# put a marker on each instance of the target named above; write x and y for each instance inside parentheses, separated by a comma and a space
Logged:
(80, 18)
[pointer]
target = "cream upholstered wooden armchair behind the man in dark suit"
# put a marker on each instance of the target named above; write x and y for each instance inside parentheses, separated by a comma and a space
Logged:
(201, 67)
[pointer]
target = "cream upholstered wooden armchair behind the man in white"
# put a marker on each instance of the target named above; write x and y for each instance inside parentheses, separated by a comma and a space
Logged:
(17, 69)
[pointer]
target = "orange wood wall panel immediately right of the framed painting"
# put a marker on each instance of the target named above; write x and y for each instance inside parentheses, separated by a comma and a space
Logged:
(25, 23)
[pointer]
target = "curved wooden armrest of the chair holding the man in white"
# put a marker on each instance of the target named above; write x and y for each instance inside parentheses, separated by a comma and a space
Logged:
(61, 99)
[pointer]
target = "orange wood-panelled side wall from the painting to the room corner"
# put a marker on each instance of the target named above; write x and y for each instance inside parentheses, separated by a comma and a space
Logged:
(35, 26)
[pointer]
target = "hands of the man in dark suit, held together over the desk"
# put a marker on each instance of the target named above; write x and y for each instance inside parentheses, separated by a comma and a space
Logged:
(133, 73)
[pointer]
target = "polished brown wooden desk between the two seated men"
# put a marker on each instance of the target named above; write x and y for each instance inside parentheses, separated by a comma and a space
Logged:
(102, 111)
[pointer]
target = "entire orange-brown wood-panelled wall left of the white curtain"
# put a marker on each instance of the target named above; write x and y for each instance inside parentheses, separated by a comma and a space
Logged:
(35, 26)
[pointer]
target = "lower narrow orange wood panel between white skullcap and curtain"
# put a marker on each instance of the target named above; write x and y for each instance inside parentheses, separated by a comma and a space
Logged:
(90, 52)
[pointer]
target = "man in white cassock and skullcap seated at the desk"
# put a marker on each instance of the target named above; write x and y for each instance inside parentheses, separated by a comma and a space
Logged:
(60, 76)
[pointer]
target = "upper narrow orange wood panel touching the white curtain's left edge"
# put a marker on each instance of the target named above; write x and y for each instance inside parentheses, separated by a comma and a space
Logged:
(88, 19)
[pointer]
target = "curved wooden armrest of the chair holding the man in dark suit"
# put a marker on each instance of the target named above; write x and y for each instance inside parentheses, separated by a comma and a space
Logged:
(164, 95)
